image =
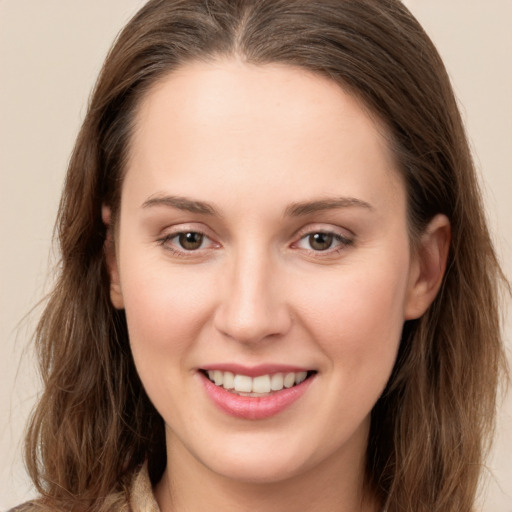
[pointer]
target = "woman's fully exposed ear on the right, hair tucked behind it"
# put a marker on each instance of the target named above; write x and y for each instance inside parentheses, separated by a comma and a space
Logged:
(427, 268)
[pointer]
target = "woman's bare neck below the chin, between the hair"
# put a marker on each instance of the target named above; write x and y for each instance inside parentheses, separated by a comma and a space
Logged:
(335, 484)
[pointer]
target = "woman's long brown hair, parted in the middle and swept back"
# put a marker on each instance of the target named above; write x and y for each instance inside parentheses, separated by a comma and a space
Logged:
(94, 425)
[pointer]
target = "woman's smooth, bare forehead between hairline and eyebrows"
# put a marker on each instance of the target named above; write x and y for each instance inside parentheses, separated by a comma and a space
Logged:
(249, 126)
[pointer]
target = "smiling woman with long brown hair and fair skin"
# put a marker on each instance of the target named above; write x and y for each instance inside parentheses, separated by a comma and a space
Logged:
(269, 296)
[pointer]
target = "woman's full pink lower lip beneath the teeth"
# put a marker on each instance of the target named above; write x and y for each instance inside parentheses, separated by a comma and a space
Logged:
(254, 408)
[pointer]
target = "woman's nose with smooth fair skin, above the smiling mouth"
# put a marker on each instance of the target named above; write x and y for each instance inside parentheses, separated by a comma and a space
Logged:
(253, 306)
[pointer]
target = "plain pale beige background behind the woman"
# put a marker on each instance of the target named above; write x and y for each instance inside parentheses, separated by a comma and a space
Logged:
(50, 53)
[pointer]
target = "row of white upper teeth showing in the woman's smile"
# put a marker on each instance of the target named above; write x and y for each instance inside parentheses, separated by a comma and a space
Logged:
(262, 384)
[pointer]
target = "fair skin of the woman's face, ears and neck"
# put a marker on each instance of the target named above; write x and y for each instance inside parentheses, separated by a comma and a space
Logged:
(297, 259)
